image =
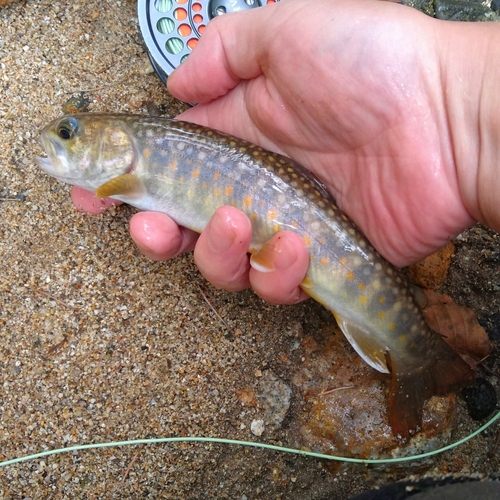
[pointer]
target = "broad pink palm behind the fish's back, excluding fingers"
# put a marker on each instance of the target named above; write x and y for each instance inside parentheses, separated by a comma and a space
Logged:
(357, 112)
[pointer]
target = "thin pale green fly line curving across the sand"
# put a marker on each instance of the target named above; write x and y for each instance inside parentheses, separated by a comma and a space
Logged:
(273, 447)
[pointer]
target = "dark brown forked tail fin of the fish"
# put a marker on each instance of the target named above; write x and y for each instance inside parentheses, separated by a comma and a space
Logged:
(447, 373)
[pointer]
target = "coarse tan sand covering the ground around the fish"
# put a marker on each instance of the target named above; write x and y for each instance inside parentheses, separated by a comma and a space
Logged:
(99, 344)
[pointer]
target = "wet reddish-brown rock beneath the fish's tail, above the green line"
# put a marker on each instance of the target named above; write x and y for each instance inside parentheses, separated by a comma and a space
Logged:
(347, 406)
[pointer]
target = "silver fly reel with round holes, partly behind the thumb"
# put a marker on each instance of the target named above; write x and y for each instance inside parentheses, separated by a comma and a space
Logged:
(171, 28)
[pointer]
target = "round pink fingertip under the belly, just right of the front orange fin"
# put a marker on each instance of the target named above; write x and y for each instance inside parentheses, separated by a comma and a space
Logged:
(158, 237)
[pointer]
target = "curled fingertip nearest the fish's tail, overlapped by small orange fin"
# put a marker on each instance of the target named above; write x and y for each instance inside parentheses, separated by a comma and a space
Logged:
(279, 267)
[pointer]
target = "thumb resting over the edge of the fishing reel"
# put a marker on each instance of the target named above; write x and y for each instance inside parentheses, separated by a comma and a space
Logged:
(230, 50)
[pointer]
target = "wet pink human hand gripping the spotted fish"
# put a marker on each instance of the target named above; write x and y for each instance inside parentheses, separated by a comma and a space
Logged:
(354, 90)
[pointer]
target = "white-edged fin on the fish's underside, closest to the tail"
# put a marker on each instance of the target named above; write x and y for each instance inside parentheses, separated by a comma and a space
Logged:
(367, 346)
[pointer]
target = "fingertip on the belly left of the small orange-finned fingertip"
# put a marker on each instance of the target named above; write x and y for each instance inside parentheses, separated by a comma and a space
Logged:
(221, 251)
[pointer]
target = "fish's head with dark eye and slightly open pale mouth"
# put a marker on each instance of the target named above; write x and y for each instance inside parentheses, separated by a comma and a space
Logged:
(87, 149)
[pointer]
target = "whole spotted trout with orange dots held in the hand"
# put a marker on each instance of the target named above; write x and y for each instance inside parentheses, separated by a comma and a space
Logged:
(187, 171)
